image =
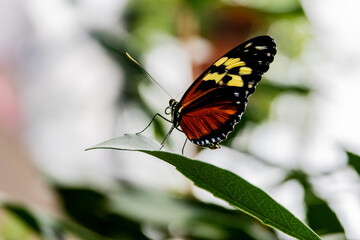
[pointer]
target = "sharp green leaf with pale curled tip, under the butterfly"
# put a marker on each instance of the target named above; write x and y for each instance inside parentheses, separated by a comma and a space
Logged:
(222, 184)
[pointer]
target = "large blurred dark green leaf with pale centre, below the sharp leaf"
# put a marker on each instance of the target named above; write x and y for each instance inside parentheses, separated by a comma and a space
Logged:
(164, 214)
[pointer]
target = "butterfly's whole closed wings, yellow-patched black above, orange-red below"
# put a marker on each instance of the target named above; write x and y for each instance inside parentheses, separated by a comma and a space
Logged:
(216, 100)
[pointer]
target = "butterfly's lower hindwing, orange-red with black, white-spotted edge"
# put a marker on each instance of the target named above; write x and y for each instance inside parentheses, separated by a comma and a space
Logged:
(208, 120)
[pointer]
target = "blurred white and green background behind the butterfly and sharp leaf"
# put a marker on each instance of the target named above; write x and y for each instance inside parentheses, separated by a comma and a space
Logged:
(66, 84)
